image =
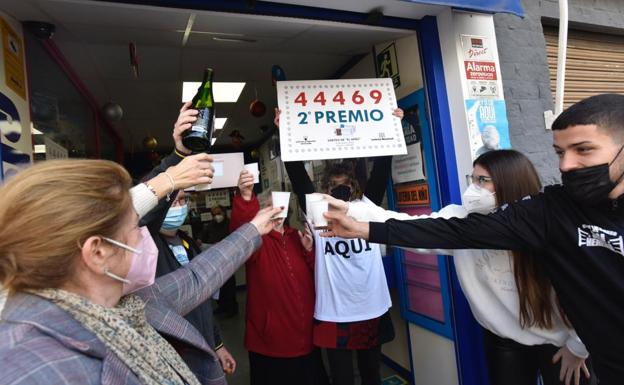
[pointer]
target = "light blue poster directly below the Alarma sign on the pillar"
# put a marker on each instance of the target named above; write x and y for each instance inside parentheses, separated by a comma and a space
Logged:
(488, 128)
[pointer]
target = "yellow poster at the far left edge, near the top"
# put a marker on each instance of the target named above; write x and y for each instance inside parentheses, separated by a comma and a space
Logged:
(13, 54)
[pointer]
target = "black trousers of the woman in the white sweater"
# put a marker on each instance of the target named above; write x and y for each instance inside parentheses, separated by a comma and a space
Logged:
(511, 363)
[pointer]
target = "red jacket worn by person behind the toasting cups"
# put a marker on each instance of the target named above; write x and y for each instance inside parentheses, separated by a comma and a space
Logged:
(280, 290)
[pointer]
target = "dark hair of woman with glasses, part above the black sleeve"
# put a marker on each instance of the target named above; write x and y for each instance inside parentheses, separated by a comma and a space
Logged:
(512, 173)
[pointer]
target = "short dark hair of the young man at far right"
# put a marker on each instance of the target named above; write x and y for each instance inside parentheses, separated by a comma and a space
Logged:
(606, 111)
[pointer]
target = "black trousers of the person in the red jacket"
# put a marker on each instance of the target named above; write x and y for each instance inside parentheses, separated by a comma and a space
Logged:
(304, 370)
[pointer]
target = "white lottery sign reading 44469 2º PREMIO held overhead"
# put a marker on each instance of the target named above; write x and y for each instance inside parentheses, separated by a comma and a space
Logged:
(333, 119)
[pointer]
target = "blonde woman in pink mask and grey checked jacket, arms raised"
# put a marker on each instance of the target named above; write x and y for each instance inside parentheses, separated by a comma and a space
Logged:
(83, 306)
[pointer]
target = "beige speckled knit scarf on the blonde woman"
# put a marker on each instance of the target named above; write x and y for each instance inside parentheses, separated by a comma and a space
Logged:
(125, 331)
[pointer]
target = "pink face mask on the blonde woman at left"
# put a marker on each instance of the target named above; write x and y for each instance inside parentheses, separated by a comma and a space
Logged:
(142, 272)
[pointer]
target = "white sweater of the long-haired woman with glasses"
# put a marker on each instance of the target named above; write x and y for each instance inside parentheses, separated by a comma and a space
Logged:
(487, 279)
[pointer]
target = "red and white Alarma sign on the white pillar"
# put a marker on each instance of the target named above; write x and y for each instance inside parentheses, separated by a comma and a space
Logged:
(479, 67)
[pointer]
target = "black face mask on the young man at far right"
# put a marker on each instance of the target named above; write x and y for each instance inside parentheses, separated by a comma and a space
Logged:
(590, 185)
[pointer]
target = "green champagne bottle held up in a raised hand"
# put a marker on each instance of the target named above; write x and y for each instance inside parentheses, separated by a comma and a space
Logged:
(198, 138)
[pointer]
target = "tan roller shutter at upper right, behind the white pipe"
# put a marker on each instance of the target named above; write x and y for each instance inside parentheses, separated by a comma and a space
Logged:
(595, 64)
